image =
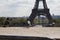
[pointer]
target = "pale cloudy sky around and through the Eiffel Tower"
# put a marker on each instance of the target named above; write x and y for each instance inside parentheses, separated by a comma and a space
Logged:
(20, 8)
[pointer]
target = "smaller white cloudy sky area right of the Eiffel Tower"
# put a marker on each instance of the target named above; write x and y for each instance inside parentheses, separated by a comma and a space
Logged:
(54, 6)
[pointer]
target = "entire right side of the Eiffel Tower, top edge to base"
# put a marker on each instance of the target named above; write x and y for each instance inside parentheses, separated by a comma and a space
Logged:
(48, 14)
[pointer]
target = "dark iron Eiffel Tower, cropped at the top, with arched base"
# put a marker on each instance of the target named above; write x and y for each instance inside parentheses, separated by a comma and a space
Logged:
(36, 12)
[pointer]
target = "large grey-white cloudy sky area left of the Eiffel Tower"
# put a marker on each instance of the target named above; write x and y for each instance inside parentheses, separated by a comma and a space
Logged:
(15, 7)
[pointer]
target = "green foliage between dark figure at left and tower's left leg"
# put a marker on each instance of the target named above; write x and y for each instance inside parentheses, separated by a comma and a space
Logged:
(17, 21)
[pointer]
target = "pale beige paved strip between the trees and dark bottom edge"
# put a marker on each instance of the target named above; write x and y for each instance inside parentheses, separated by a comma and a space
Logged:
(51, 32)
